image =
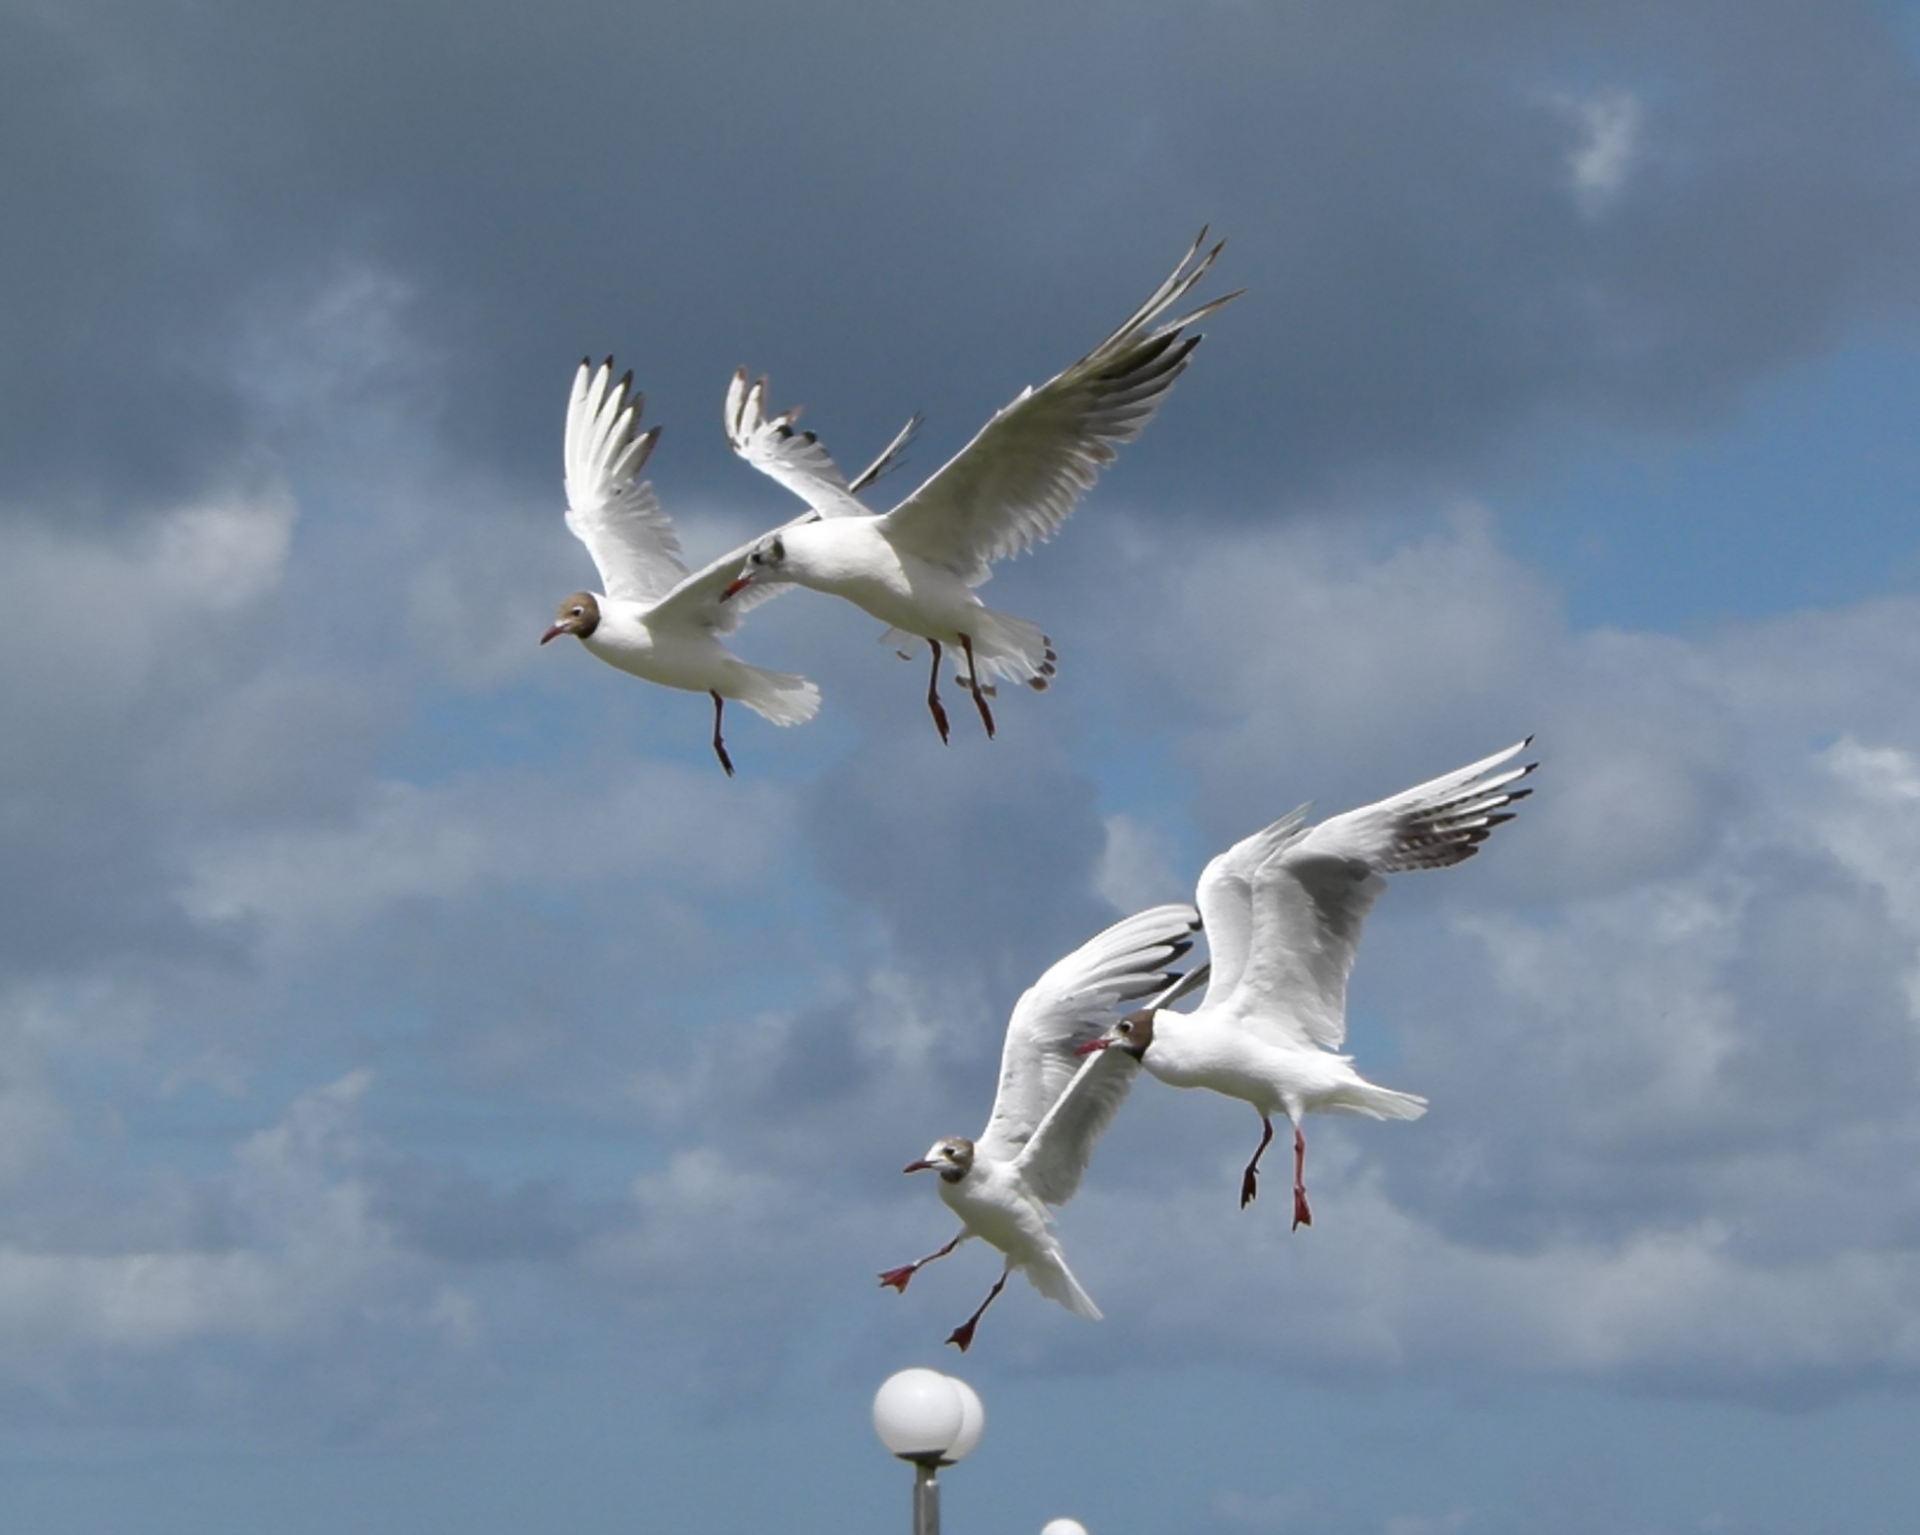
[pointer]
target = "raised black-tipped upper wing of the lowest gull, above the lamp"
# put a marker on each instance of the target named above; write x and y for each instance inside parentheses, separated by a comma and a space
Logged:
(1072, 1006)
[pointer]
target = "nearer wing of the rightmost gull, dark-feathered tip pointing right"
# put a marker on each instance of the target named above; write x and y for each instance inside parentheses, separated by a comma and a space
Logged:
(1314, 892)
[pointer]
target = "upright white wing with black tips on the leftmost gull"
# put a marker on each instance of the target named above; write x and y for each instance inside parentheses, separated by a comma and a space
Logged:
(610, 508)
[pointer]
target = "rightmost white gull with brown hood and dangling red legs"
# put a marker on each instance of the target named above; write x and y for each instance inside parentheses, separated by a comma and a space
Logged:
(1284, 914)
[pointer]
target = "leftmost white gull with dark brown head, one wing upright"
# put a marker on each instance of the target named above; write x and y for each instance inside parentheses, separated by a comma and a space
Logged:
(656, 620)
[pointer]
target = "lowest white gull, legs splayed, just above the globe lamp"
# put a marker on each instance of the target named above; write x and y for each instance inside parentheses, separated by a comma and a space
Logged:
(1053, 1108)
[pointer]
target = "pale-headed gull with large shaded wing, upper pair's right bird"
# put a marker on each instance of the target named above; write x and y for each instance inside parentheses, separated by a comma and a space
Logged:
(1013, 485)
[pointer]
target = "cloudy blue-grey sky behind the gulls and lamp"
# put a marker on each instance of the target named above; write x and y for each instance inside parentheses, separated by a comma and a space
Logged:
(433, 1098)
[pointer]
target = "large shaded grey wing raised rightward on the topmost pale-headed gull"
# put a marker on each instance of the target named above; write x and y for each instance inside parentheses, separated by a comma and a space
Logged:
(1020, 477)
